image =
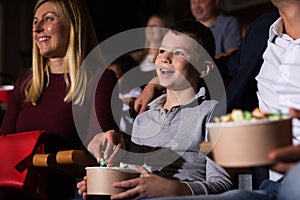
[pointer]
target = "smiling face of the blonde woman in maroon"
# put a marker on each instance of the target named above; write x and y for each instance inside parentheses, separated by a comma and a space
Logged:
(50, 31)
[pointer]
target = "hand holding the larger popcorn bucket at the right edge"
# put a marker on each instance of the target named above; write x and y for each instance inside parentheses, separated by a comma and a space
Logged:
(286, 157)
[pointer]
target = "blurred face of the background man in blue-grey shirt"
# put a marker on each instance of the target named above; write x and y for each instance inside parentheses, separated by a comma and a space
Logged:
(203, 10)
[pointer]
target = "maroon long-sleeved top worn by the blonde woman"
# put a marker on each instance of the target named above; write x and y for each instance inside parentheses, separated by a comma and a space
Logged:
(53, 114)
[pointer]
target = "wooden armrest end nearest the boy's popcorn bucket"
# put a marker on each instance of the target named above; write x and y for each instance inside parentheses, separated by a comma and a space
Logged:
(78, 157)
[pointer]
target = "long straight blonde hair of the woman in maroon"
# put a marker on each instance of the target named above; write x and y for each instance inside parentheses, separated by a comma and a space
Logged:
(82, 40)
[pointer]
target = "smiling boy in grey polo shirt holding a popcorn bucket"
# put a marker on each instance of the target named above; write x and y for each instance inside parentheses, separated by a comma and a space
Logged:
(168, 124)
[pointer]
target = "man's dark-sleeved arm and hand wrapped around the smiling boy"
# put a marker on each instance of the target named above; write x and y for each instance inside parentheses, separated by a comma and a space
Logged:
(241, 67)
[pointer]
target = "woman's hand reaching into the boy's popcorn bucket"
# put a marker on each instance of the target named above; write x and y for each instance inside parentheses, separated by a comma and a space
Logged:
(106, 145)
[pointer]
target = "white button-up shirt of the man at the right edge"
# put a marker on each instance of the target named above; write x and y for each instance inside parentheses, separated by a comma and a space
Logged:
(279, 76)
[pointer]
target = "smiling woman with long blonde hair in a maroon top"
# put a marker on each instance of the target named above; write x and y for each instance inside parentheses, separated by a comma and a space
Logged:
(63, 35)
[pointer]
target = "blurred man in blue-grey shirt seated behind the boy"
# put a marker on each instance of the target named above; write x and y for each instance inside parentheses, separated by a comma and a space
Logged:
(226, 29)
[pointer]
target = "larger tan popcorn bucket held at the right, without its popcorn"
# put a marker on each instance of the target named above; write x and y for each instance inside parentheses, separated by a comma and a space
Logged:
(247, 144)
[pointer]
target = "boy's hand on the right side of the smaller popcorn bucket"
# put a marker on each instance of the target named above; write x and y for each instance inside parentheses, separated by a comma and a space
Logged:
(150, 185)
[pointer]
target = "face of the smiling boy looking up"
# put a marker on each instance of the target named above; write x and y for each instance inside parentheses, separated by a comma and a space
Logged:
(173, 62)
